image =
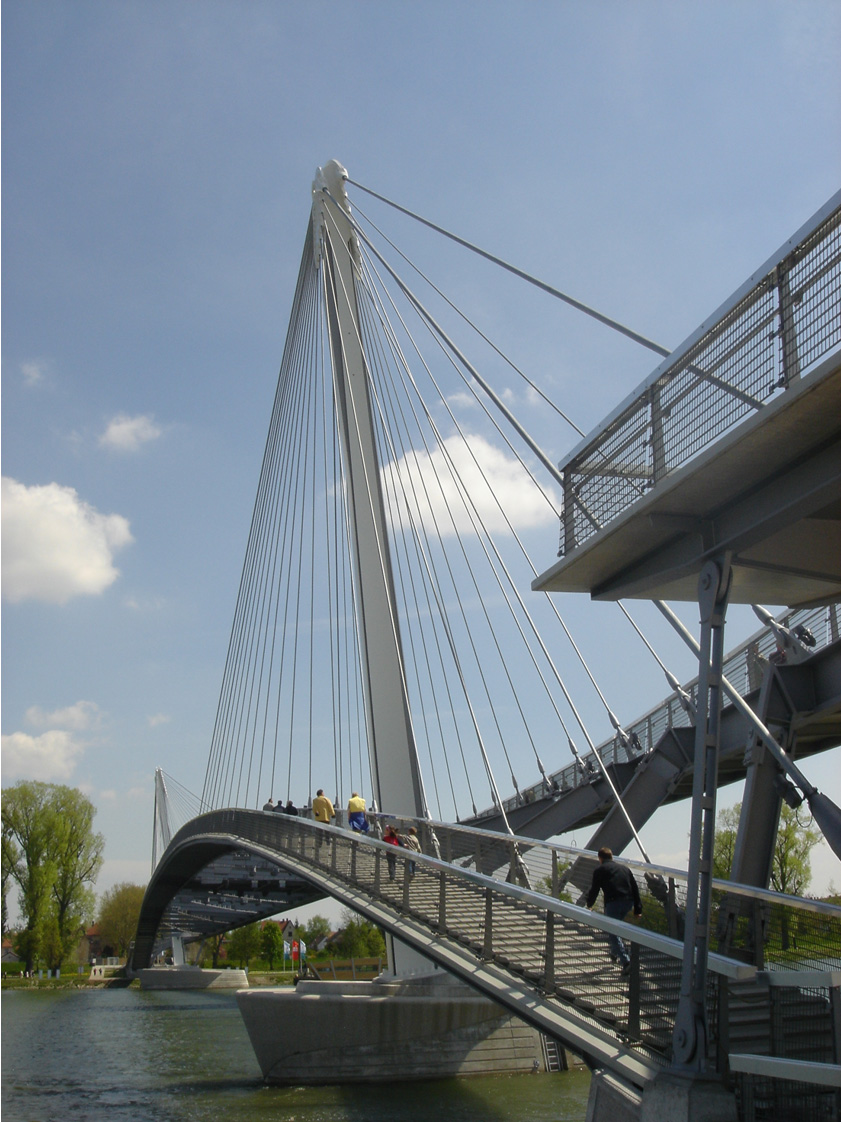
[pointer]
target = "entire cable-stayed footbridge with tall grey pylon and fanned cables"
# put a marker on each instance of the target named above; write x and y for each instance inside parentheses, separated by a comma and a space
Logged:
(383, 642)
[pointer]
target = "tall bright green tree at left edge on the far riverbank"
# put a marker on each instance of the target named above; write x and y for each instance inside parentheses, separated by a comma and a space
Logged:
(51, 852)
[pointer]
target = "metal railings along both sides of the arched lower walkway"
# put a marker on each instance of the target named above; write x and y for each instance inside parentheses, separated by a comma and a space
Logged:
(495, 899)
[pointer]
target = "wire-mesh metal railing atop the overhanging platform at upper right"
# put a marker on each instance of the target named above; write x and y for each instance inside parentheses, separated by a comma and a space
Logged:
(771, 333)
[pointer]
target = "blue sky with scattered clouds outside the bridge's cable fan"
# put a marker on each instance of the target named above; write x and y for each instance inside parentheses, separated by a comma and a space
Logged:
(158, 169)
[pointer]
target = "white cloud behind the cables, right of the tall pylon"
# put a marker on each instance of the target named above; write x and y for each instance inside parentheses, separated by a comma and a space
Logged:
(492, 479)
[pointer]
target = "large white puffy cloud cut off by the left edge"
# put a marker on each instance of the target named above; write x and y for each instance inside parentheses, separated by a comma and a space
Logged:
(56, 546)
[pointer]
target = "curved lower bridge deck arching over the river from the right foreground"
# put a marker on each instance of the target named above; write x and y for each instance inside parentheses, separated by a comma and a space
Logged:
(546, 960)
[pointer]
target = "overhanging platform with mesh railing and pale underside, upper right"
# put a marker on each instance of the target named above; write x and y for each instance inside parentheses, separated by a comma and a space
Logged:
(733, 444)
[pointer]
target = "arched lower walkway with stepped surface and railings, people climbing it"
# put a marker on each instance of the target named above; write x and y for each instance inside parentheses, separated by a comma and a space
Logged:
(482, 906)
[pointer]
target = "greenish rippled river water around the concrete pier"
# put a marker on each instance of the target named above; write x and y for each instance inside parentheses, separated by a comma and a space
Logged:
(130, 1056)
